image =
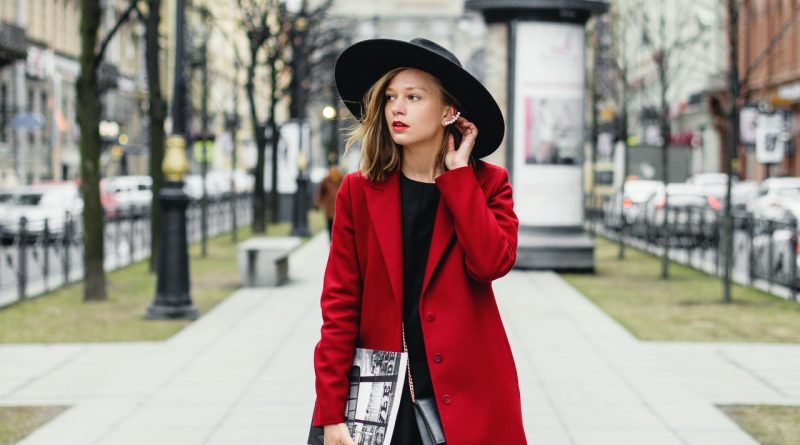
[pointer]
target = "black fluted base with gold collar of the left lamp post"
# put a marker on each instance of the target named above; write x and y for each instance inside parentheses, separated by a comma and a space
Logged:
(172, 299)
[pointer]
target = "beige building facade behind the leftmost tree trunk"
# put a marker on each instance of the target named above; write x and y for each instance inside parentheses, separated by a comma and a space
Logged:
(38, 121)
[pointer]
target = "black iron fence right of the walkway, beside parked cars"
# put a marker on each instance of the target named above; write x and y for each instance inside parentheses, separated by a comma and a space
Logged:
(765, 251)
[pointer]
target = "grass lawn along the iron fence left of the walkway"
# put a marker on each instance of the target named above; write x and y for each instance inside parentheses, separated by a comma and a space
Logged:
(62, 316)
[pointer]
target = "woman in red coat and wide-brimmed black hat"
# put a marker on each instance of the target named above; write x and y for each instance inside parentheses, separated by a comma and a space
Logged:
(420, 233)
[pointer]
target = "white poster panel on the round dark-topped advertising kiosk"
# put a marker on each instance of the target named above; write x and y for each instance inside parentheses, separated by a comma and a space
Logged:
(548, 124)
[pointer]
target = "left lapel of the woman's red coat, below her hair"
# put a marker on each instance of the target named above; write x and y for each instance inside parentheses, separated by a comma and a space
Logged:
(383, 202)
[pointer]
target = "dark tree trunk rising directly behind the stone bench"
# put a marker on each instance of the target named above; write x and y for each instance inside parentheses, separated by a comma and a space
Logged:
(259, 195)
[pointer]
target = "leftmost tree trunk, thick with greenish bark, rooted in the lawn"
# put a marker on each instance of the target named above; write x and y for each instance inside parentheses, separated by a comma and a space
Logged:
(89, 109)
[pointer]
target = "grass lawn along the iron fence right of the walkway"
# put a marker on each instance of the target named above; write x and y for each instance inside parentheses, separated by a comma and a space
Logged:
(687, 306)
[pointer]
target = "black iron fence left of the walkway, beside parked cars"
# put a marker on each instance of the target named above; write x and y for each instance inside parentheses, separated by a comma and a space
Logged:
(39, 256)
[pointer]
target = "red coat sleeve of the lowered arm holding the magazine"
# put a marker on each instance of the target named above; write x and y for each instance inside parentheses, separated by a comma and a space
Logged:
(341, 303)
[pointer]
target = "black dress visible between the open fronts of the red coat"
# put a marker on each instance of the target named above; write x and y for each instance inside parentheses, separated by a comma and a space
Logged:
(419, 201)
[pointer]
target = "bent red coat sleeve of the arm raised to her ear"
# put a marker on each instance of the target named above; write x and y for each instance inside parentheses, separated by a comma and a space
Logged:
(485, 222)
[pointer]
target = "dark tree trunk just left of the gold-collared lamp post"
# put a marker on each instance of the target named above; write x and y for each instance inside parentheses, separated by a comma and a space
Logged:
(157, 113)
